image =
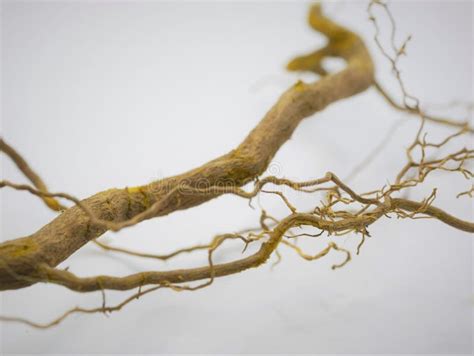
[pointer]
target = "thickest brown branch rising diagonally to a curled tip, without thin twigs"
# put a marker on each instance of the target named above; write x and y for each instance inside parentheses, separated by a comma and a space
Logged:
(72, 229)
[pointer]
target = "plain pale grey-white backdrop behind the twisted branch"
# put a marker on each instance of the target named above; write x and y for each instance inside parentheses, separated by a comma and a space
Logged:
(106, 94)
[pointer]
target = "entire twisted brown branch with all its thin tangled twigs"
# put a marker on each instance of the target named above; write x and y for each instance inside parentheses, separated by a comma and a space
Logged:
(343, 211)
